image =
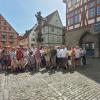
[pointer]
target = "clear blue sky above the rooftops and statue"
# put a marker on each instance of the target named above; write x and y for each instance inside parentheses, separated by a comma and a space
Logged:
(21, 13)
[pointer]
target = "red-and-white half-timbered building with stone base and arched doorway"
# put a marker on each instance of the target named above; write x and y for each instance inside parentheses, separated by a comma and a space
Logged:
(83, 25)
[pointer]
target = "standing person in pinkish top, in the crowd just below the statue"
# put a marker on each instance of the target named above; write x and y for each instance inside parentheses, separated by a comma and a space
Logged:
(38, 58)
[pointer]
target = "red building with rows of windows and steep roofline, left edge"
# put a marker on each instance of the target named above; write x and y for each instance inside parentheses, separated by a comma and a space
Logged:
(8, 36)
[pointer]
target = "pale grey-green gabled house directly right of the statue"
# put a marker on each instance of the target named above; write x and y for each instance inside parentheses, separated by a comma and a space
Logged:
(52, 30)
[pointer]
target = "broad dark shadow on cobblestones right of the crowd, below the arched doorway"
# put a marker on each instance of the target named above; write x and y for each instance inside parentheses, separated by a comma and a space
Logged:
(91, 70)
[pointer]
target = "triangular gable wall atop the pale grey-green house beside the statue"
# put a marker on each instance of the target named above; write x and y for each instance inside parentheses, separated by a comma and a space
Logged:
(55, 20)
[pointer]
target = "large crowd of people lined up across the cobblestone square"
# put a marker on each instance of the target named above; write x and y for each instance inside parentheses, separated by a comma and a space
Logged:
(50, 57)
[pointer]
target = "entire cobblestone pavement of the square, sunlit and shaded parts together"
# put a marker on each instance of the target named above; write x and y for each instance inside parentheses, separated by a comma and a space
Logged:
(82, 84)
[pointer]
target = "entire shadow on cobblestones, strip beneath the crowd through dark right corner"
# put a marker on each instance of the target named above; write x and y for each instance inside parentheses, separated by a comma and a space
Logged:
(91, 70)
